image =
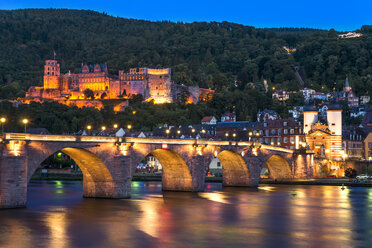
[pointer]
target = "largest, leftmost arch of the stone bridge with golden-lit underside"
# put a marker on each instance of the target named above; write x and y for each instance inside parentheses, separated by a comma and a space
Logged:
(97, 179)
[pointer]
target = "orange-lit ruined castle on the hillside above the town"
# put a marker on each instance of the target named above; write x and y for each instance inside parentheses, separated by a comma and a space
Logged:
(71, 88)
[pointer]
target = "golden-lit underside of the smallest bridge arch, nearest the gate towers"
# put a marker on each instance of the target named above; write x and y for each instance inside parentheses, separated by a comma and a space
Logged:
(279, 167)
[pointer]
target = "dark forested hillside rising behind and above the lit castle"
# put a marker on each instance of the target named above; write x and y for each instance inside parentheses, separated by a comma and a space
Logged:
(212, 55)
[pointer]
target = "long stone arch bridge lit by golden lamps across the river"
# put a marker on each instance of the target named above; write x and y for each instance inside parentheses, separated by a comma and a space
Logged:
(108, 163)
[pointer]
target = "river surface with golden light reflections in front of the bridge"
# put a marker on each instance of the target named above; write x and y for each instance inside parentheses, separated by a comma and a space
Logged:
(269, 216)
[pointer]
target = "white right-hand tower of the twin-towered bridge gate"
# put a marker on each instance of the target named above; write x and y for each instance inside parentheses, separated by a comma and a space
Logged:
(334, 119)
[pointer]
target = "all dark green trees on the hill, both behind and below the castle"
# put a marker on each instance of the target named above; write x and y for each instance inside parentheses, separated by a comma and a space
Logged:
(231, 58)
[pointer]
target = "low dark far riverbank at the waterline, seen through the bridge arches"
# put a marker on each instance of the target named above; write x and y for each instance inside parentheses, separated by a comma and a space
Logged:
(156, 178)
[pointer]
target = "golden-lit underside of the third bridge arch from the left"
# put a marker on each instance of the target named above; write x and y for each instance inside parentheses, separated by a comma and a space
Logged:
(235, 170)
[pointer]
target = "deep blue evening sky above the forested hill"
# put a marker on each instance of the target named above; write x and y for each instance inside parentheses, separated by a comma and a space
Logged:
(325, 14)
